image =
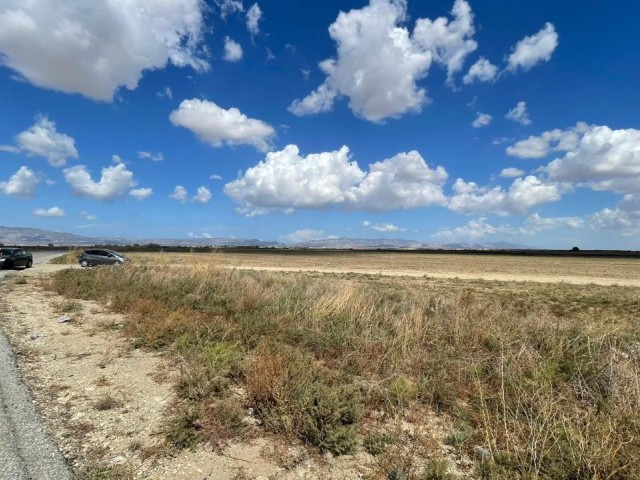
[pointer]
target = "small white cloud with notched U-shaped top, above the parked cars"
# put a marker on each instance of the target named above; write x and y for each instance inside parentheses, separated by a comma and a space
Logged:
(114, 182)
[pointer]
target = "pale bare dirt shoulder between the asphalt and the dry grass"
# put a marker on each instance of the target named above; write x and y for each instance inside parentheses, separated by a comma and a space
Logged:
(106, 403)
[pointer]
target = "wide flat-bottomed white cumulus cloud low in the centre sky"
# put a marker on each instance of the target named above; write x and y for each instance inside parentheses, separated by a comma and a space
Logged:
(285, 180)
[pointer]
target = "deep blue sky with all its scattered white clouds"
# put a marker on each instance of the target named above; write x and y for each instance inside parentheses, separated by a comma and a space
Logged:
(441, 121)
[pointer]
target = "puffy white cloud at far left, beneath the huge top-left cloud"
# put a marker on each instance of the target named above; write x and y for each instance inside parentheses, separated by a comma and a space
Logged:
(43, 140)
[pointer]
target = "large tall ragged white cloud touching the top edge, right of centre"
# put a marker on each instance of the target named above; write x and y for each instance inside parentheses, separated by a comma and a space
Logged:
(379, 62)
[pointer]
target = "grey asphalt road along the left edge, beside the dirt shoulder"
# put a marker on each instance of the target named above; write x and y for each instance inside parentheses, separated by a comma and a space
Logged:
(27, 452)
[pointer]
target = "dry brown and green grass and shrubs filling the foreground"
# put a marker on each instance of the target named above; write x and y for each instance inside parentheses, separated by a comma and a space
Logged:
(528, 381)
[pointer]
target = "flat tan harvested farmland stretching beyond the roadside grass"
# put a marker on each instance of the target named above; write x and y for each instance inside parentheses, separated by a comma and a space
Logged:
(574, 270)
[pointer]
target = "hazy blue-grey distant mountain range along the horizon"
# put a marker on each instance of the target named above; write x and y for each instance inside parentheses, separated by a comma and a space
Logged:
(34, 236)
